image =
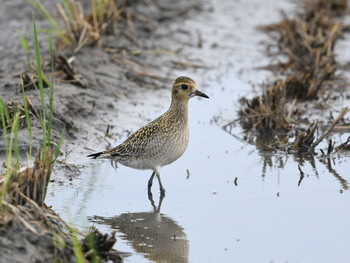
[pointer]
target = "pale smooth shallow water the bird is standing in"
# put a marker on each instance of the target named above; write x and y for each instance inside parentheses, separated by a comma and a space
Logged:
(235, 204)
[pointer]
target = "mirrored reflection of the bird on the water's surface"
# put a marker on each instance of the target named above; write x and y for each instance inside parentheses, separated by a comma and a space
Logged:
(156, 236)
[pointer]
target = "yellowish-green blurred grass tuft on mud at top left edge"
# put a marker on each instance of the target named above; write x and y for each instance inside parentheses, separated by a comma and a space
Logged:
(82, 28)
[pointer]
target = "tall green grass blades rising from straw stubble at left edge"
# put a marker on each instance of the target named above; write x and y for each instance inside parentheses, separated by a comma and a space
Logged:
(21, 185)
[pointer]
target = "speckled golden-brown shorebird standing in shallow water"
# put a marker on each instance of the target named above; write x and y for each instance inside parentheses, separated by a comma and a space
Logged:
(161, 141)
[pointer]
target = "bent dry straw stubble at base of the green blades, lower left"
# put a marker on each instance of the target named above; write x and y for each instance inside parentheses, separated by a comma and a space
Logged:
(22, 192)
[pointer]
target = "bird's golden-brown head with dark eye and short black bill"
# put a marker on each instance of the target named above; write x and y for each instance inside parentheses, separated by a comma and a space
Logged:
(184, 88)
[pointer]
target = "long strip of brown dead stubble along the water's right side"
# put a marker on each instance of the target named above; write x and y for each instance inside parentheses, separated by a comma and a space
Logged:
(304, 46)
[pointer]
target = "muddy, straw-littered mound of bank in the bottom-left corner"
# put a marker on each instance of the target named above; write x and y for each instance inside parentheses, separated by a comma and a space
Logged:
(21, 244)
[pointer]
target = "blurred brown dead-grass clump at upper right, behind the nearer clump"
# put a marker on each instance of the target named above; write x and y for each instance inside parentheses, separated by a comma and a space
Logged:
(309, 48)
